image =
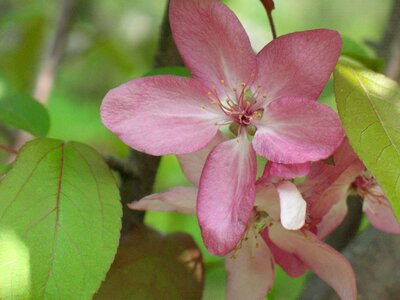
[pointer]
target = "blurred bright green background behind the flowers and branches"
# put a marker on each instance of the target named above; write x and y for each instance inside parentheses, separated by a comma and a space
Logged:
(111, 42)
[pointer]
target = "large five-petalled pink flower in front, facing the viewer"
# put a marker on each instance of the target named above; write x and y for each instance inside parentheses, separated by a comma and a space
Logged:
(272, 92)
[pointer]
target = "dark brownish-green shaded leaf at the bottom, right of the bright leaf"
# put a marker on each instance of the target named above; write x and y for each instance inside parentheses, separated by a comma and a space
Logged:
(150, 265)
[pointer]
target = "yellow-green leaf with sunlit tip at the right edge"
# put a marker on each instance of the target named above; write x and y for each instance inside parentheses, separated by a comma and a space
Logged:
(369, 107)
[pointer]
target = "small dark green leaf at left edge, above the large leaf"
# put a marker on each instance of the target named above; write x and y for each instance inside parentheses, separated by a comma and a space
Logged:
(24, 112)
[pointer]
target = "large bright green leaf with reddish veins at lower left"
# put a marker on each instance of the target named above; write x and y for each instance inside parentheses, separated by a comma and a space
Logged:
(60, 218)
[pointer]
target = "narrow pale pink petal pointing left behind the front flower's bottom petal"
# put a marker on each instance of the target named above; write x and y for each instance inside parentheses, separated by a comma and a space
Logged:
(179, 199)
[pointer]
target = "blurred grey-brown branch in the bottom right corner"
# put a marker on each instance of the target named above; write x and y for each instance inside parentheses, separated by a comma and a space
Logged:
(375, 258)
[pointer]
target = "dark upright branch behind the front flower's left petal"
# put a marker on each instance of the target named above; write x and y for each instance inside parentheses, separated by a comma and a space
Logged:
(140, 183)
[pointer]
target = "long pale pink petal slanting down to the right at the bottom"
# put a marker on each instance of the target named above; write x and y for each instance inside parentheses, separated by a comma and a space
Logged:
(327, 263)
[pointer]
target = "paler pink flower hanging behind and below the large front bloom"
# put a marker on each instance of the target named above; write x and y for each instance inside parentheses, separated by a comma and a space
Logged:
(250, 263)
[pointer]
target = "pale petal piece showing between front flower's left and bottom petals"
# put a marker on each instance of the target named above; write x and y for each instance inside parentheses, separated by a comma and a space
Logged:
(192, 164)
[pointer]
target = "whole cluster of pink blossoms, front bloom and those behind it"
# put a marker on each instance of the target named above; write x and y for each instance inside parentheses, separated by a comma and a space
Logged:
(268, 101)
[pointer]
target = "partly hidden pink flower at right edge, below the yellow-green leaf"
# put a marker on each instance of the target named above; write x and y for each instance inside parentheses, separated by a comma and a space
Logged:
(328, 186)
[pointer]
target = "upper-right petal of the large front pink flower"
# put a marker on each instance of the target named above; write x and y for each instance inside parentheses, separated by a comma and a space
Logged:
(298, 64)
